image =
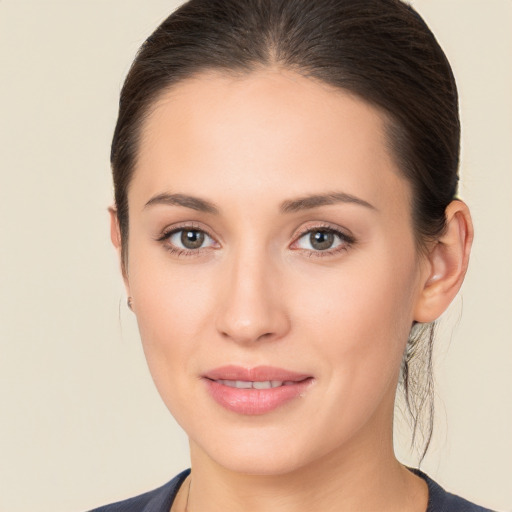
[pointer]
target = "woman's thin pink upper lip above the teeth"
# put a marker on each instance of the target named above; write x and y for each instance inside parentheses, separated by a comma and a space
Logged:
(255, 374)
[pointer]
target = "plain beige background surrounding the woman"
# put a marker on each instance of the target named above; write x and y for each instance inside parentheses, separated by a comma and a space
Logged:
(80, 422)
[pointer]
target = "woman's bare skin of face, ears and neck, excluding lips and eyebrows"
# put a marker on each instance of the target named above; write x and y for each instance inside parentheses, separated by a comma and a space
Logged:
(258, 293)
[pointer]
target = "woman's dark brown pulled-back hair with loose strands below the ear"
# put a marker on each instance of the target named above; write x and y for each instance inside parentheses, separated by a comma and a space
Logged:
(379, 50)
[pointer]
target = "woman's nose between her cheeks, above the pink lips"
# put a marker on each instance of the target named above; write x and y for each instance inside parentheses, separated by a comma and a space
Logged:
(252, 306)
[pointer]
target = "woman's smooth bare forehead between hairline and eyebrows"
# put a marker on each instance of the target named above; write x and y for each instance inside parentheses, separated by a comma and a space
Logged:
(272, 132)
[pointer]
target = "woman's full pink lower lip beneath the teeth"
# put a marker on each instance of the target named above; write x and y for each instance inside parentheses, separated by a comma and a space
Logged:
(255, 401)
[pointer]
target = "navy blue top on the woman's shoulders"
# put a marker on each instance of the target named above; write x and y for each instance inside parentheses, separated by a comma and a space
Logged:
(161, 499)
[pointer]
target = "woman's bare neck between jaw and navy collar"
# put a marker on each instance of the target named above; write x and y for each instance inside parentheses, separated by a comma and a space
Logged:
(360, 477)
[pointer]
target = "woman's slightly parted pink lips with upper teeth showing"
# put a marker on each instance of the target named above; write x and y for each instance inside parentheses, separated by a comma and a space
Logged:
(255, 391)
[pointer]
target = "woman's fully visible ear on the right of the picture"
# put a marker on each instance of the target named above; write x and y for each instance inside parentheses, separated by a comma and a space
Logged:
(447, 263)
